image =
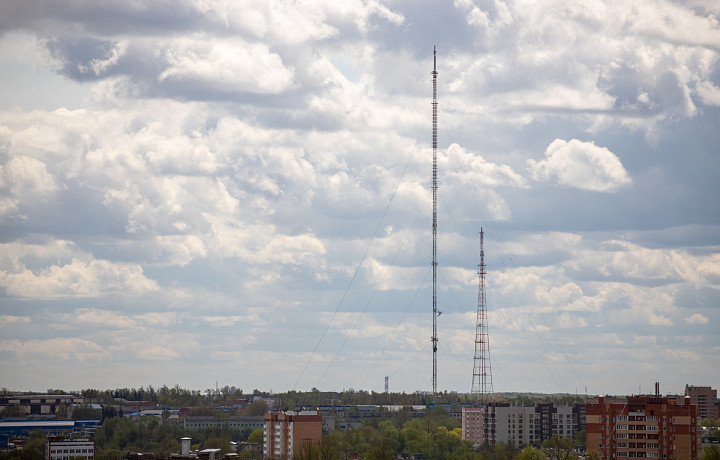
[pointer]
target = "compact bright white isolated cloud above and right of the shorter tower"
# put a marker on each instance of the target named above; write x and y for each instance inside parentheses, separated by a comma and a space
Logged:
(581, 165)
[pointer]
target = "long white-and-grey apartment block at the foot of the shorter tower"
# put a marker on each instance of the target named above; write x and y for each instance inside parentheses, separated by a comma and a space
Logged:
(519, 425)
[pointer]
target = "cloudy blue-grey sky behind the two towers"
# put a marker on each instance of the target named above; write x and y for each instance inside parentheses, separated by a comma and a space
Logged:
(211, 192)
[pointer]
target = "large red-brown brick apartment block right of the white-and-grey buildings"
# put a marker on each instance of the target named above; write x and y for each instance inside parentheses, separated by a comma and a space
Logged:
(643, 426)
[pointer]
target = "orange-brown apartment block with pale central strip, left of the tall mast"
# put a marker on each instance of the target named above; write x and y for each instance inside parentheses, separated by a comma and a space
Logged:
(286, 430)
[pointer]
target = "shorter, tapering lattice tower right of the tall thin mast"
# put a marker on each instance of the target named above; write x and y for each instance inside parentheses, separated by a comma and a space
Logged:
(482, 373)
